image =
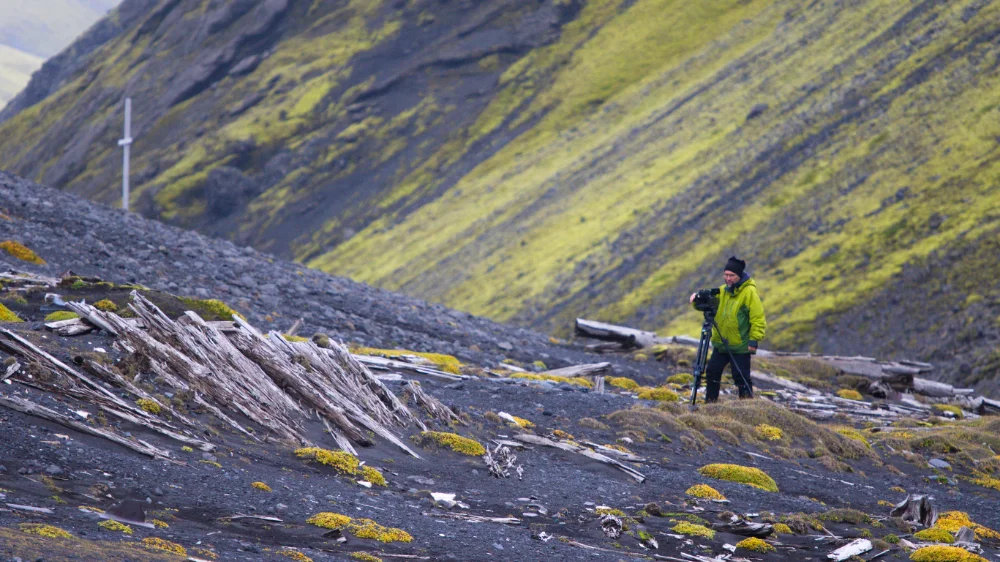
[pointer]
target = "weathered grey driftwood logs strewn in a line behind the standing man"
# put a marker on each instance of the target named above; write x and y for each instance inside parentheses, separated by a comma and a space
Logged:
(889, 379)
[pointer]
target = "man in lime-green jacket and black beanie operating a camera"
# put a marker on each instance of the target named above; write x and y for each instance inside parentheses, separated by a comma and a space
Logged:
(740, 324)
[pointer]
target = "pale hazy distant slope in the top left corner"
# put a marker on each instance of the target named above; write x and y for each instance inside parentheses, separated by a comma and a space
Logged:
(30, 32)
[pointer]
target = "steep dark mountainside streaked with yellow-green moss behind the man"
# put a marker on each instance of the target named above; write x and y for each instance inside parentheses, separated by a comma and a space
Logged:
(536, 161)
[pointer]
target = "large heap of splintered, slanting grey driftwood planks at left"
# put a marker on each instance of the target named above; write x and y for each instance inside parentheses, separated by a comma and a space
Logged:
(267, 379)
